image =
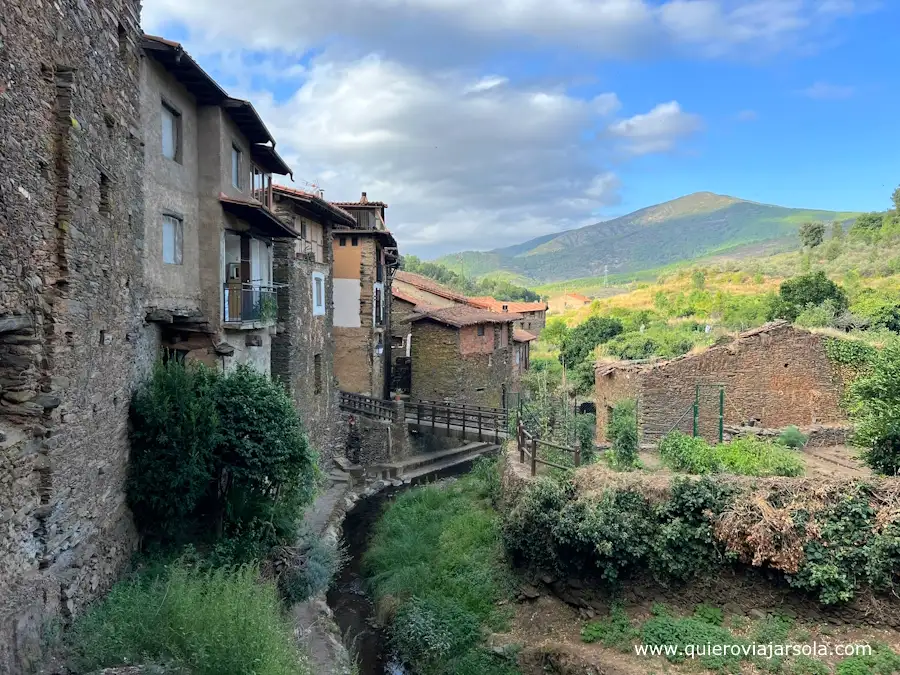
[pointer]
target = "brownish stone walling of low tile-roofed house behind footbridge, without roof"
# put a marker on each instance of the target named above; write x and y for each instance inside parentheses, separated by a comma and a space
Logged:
(441, 372)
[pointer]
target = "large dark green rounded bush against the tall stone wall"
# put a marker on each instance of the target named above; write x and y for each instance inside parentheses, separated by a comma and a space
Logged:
(218, 457)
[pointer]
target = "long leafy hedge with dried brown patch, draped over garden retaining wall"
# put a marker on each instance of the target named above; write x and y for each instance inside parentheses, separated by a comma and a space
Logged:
(830, 541)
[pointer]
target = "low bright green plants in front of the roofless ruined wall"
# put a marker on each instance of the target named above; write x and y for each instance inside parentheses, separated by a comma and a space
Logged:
(746, 456)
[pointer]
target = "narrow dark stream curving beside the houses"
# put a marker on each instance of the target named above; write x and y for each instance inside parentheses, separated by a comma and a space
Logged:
(353, 608)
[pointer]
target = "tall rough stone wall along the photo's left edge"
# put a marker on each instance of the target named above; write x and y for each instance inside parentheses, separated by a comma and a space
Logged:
(71, 222)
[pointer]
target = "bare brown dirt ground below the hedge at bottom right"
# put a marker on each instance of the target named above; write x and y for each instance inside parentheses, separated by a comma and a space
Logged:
(549, 634)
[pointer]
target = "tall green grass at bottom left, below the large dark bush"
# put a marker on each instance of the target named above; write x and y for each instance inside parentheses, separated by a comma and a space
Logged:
(207, 622)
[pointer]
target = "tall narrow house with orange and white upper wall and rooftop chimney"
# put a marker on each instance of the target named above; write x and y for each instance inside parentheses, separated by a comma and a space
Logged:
(365, 256)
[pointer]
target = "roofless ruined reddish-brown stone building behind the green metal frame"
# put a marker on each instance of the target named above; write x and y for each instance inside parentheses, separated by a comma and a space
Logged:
(772, 377)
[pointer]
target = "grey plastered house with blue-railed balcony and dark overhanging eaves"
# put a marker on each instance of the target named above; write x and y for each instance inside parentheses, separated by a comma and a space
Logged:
(209, 227)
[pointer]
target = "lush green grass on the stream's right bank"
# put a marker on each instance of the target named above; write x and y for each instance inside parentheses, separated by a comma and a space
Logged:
(437, 561)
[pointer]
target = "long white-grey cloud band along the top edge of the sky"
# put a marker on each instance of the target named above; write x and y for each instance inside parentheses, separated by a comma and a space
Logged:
(445, 31)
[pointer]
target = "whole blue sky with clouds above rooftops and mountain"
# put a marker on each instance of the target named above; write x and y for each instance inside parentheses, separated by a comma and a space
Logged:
(483, 123)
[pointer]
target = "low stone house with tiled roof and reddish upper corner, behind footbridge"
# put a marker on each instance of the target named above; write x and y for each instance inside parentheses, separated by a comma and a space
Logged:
(462, 354)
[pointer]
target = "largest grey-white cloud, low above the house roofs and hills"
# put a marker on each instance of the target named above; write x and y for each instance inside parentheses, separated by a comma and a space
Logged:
(458, 170)
